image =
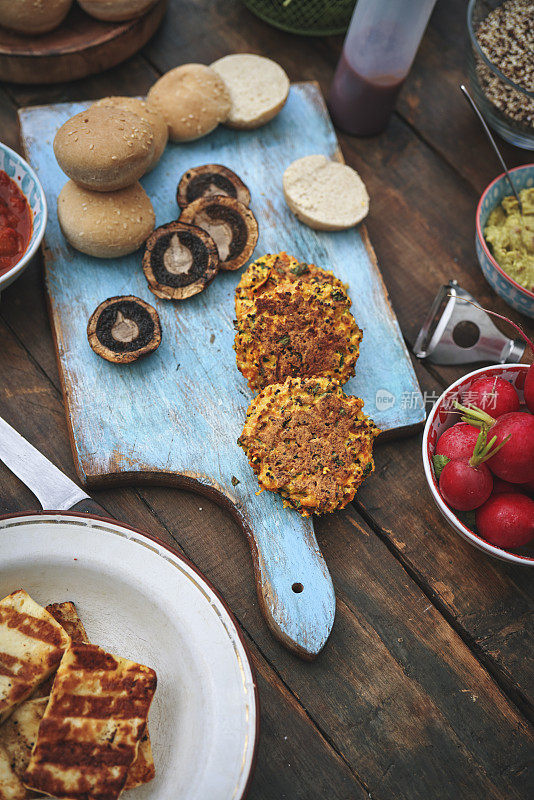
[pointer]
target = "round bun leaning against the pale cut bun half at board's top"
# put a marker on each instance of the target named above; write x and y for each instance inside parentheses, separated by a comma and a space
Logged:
(193, 100)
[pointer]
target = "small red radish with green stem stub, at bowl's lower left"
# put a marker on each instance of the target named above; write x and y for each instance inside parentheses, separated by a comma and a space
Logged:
(467, 483)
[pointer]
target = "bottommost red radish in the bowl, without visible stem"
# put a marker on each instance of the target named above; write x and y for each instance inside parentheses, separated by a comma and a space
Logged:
(506, 520)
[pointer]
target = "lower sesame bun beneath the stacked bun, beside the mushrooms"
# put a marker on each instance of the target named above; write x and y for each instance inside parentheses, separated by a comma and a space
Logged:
(105, 225)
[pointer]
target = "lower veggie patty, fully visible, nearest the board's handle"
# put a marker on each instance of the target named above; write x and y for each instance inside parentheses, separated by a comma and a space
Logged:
(310, 442)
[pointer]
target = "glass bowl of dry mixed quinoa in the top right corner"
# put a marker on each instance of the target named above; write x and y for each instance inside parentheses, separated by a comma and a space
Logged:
(501, 66)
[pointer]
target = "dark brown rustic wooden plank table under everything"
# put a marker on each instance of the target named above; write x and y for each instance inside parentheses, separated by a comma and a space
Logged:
(425, 686)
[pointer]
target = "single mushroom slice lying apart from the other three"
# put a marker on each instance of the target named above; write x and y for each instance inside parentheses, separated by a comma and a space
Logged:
(122, 329)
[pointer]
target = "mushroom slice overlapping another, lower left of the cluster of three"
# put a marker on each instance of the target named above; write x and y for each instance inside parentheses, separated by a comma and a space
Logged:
(180, 260)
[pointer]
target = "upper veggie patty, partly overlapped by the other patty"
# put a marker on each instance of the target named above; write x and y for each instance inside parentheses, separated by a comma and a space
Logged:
(297, 329)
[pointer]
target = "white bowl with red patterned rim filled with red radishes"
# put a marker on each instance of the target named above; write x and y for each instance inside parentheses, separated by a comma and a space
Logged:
(478, 456)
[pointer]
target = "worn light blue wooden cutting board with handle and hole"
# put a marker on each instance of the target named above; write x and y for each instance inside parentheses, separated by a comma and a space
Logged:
(175, 416)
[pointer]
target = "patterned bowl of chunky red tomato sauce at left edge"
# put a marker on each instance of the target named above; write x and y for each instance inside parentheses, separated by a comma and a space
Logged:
(23, 215)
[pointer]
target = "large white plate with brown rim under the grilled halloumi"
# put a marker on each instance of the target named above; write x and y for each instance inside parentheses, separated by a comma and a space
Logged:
(141, 600)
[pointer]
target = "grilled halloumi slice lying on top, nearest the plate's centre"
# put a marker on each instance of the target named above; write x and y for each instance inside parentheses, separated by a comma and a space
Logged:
(90, 732)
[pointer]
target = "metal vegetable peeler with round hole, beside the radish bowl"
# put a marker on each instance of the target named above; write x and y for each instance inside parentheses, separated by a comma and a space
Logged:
(457, 332)
